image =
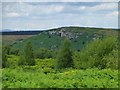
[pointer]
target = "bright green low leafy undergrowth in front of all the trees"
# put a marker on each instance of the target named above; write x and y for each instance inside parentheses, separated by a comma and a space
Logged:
(68, 78)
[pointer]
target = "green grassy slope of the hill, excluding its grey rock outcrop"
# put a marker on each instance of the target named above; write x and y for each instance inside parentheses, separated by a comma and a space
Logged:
(43, 40)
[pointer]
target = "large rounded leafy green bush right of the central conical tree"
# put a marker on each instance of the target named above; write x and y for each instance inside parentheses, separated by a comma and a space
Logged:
(97, 53)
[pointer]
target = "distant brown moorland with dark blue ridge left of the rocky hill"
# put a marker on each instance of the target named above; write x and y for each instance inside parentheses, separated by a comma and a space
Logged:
(9, 37)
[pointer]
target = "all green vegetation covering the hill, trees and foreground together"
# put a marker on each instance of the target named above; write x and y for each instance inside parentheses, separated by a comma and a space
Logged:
(46, 61)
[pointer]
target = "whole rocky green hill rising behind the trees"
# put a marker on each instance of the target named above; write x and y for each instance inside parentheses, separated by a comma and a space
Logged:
(52, 38)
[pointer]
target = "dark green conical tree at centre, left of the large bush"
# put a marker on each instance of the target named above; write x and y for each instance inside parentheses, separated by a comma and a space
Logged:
(64, 57)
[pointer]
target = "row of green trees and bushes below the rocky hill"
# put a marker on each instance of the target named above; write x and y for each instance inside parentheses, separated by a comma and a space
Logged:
(97, 53)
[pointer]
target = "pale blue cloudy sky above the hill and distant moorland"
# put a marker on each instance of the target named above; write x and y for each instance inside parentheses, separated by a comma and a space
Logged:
(47, 15)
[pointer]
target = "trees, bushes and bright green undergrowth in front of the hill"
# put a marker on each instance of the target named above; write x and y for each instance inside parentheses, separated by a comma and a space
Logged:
(95, 66)
